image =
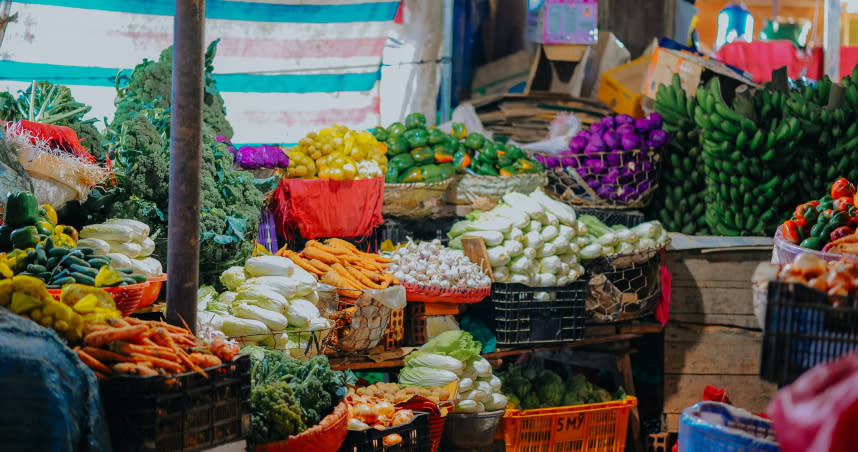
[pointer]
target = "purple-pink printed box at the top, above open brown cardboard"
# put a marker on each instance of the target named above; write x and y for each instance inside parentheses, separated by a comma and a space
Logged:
(564, 22)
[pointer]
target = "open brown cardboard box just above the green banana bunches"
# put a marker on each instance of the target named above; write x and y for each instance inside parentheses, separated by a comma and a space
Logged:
(693, 70)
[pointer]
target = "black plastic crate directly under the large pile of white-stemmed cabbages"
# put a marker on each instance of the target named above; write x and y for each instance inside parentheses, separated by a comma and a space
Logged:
(521, 320)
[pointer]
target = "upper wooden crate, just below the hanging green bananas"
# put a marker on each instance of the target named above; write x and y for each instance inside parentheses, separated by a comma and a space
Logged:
(714, 287)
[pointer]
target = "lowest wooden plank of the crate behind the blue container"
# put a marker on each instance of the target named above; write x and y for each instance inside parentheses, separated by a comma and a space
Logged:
(744, 391)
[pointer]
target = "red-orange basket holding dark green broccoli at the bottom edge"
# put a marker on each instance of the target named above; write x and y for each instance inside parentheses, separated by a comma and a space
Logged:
(326, 436)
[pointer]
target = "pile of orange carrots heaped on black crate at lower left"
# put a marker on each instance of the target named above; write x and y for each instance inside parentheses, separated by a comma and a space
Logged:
(131, 346)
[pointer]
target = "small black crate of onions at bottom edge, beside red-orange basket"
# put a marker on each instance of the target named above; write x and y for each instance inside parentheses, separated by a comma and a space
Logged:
(415, 437)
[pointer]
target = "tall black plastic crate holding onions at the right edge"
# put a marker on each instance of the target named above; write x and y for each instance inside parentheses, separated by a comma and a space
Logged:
(803, 329)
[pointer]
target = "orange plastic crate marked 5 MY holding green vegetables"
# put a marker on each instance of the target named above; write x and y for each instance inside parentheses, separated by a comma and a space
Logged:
(582, 428)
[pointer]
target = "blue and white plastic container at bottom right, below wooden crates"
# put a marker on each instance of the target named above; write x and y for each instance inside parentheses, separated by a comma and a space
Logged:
(718, 427)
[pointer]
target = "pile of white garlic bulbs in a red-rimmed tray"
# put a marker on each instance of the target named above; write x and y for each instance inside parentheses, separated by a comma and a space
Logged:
(432, 264)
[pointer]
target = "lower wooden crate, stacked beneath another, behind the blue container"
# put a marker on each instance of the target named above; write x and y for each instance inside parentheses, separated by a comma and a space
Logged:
(725, 357)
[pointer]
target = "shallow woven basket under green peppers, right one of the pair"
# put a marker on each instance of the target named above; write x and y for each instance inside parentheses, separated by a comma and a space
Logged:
(466, 190)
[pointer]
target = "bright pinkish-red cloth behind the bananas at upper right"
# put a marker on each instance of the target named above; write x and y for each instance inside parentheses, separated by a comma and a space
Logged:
(760, 58)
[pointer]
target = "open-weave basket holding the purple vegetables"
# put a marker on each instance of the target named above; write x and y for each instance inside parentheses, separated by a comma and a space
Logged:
(569, 183)
